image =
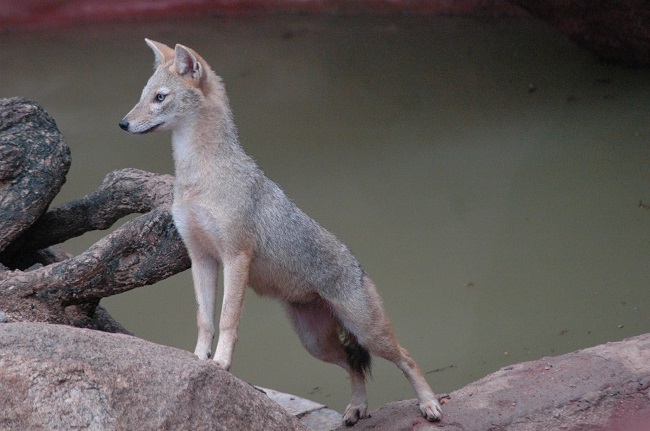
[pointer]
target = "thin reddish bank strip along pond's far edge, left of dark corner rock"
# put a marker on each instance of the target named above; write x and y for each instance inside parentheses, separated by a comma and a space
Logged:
(45, 13)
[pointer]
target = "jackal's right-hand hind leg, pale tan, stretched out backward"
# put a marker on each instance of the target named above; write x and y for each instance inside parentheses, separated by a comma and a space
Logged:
(374, 331)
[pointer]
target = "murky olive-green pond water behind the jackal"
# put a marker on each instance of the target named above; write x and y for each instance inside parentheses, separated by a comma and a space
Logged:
(486, 172)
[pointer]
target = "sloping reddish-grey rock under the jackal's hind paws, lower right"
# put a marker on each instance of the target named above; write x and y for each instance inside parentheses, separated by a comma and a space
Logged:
(601, 388)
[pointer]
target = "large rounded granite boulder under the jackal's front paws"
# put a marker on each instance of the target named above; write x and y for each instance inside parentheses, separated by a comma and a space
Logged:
(60, 378)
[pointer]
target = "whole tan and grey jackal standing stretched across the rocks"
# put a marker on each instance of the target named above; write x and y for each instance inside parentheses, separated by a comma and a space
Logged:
(229, 213)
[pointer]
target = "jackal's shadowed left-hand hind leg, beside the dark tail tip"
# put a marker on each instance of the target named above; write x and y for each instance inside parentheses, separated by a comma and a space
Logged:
(319, 331)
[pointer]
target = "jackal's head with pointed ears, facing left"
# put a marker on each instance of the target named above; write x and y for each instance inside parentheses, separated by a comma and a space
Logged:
(175, 92)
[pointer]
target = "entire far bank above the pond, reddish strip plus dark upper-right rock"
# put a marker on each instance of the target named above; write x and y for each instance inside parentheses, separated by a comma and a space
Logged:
(615, 31)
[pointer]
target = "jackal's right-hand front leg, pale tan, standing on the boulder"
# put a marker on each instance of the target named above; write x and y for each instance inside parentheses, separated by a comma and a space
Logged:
(235, 279)
